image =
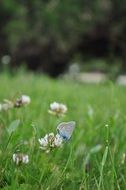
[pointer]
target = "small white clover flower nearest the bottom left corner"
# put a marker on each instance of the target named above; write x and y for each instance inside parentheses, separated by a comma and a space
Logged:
(19, 158)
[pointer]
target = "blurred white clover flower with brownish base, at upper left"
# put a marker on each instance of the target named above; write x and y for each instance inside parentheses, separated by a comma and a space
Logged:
(23, 100)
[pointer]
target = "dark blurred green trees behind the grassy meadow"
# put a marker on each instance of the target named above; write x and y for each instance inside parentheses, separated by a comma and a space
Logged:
(49, 34)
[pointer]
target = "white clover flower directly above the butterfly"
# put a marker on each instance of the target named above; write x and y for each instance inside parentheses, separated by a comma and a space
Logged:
(57, 108)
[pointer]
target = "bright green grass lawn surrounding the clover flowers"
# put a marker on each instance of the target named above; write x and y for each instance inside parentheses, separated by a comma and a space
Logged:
(92, 159)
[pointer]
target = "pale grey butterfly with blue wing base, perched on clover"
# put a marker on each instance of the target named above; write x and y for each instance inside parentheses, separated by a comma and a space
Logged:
(65, 129)
